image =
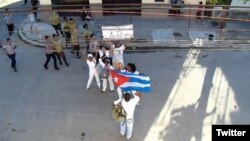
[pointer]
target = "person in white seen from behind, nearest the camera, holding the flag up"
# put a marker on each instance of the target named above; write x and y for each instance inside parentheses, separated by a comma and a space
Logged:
(129, 105)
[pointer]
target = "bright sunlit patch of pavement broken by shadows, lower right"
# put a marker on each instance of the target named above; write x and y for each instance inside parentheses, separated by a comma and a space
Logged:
(187, 106)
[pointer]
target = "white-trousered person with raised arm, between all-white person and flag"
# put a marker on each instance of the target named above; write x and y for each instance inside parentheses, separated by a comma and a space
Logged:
(107, 78)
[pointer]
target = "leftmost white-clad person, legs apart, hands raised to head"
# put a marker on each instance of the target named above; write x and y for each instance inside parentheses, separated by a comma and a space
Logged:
(92, 71)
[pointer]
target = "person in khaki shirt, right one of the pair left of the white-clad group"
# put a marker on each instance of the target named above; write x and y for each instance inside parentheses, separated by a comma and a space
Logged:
(57, 45)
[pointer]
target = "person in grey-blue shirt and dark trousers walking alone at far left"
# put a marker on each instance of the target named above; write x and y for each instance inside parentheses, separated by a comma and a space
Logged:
(9, 48)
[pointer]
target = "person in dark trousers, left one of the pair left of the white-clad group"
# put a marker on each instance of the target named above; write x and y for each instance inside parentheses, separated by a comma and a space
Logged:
(50, 52)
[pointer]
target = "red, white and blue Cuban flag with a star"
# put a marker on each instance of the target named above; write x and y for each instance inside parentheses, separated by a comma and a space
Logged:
(131, 82)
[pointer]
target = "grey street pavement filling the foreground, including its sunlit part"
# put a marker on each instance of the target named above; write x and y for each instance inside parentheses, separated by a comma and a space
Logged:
(191, 90)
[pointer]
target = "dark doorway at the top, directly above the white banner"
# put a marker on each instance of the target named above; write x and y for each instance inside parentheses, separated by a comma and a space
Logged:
(111, 7)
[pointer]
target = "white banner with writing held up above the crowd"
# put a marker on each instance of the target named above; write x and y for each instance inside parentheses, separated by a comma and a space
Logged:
(118, 32)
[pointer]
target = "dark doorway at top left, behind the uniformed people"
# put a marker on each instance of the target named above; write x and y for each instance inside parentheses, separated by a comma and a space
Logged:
(69, 5)
